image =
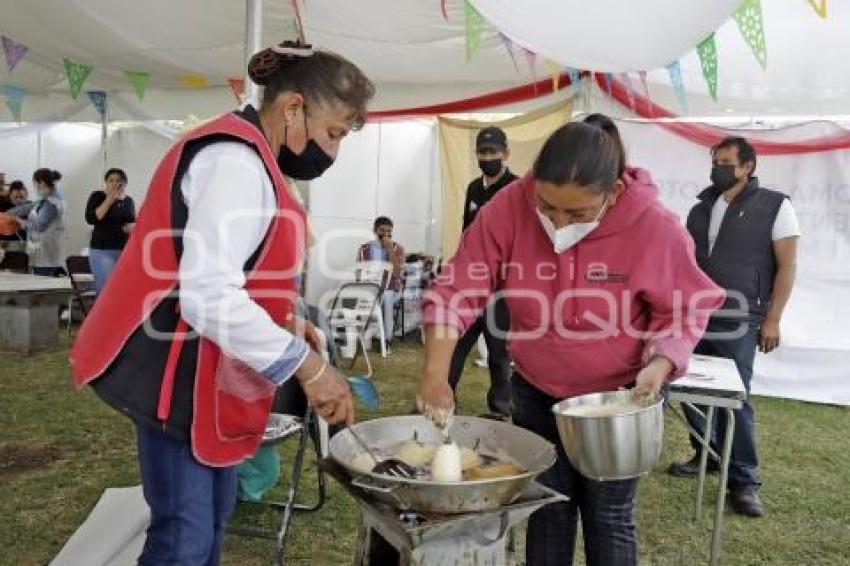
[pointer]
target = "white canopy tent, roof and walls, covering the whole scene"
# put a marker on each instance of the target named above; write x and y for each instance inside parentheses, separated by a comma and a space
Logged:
(416, 57)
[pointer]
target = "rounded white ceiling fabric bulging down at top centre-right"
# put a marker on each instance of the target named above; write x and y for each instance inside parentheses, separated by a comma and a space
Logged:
(605, 35)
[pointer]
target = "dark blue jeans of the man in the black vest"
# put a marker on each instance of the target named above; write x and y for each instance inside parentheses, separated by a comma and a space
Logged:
(743, 467)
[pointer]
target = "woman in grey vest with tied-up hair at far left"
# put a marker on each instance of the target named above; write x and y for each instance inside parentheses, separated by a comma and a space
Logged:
(44, 221)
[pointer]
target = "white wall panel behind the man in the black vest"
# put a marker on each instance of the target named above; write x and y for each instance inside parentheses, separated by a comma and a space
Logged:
(814, 359)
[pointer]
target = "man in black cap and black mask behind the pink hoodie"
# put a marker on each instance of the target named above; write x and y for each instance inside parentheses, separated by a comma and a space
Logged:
(491, 148)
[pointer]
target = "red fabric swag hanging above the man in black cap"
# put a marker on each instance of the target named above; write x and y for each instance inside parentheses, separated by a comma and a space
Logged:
(499, 98)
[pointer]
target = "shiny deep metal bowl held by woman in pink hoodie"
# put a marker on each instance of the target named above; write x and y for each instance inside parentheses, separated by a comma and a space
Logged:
(607, 444)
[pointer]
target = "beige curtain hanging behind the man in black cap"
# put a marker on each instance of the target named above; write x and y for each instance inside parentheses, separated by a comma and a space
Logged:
(526, 134)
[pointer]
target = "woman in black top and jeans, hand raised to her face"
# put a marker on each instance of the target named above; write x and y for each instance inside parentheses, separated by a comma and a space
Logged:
(112, 213)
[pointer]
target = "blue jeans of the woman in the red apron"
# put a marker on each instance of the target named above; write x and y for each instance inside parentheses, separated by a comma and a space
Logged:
(189, 502)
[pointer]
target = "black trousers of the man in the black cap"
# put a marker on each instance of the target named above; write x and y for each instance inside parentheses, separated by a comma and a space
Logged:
(498, 361)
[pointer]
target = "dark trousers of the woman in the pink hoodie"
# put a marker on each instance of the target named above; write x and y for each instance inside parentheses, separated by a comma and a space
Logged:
(607, 508)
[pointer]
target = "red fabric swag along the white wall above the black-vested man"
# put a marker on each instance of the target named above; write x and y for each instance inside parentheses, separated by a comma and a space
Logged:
(708, 136)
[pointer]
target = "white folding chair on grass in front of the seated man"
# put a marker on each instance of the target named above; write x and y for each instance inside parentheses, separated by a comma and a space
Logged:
(350, 314)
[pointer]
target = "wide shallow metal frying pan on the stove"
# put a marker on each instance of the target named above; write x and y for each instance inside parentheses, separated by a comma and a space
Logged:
(533, 453)
